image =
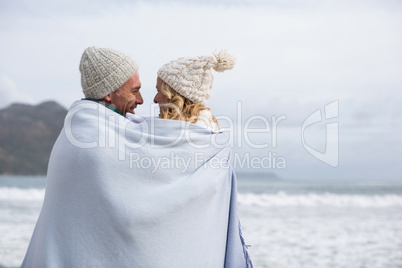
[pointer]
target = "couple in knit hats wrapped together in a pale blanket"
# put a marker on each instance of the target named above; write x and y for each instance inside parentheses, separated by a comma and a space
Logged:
(130, 191)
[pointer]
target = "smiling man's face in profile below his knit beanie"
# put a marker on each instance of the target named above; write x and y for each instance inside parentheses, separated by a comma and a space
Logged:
(128, 96)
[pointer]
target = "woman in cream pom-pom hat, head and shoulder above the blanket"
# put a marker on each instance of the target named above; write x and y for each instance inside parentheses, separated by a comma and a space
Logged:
(184, 86)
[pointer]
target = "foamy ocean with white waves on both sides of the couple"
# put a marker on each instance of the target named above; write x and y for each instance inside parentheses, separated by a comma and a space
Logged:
(287, 223)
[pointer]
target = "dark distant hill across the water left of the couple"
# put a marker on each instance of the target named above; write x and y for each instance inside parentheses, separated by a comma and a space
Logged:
(27, 135)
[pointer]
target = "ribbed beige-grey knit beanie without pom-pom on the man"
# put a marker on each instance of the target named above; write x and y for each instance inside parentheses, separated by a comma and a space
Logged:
(104, 70)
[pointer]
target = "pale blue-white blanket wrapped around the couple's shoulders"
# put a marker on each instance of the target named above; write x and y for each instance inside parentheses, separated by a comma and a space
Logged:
(157, 193)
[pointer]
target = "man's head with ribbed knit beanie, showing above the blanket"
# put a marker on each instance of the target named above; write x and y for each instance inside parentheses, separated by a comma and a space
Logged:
(110, 78)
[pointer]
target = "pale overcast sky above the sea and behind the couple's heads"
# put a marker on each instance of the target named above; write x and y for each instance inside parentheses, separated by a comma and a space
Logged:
(293, 58)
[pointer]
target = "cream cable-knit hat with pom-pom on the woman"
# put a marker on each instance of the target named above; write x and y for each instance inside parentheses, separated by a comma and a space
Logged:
(191, 77)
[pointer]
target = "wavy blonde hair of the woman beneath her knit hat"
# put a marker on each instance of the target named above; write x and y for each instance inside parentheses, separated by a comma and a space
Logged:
(181, 108)
